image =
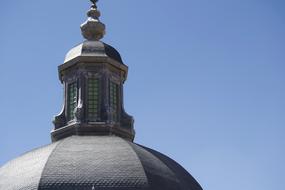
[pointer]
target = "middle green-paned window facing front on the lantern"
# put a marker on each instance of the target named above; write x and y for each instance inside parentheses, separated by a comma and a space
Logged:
(93, 99)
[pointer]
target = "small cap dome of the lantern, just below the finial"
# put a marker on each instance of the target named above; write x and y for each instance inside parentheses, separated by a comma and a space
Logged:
(93, 49)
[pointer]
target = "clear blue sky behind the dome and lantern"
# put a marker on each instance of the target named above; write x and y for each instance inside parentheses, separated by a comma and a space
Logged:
(206, 80)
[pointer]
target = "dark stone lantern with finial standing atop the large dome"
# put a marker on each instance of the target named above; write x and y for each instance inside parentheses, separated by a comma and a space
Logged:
(93, 75)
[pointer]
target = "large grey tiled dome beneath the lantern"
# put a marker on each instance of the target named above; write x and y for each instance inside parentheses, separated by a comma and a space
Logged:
(95, 162)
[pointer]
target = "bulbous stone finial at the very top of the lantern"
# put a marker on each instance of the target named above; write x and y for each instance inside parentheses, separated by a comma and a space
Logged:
(93, 29)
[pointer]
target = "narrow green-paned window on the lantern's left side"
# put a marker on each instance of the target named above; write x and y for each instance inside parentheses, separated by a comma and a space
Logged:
(71, 100)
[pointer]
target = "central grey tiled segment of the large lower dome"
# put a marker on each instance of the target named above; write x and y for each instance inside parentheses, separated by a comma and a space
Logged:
(81, 162)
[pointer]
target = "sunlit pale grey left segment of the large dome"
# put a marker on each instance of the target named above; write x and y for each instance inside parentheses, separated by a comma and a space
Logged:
(24, 172)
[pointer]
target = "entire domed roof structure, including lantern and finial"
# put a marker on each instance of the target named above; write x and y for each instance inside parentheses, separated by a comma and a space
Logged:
(93, 136)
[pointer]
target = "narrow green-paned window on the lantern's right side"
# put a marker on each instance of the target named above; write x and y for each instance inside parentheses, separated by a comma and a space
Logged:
(113, 93)
